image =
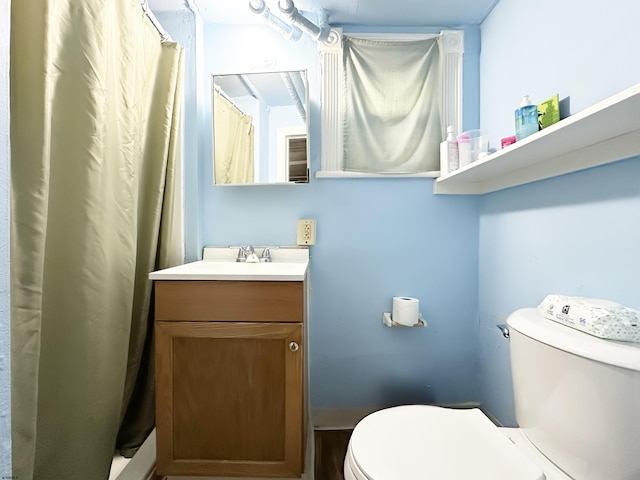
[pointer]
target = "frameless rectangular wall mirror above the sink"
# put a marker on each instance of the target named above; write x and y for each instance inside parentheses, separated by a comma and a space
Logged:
(260, 128)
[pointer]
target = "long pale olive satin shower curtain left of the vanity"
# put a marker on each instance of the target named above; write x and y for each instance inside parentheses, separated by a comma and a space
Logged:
(95, 206)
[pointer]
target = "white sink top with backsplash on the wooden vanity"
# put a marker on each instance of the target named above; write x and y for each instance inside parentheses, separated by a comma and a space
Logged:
(219, 263)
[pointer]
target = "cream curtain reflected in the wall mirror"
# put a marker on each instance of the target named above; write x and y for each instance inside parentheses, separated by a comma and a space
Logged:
(233, 143)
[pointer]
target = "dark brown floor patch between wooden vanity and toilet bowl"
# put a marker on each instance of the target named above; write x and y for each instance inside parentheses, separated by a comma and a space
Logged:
(331, 447)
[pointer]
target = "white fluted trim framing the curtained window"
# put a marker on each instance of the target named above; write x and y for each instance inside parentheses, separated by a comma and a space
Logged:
(331, 98)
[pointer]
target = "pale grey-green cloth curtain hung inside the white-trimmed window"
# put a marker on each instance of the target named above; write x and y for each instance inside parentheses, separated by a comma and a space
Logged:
(392, 121)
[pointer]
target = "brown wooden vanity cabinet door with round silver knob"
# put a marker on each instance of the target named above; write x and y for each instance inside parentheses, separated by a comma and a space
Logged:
(229, 399)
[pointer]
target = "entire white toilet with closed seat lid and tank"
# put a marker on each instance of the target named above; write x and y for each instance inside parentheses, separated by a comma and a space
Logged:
(577, 401)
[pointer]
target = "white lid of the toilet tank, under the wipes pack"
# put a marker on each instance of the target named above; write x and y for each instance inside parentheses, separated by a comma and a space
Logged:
(529, 322)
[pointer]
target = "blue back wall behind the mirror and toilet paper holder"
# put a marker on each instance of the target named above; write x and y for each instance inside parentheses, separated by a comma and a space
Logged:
(376, 238)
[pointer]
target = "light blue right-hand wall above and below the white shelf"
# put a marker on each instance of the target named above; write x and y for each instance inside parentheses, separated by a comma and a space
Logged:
(577, 234)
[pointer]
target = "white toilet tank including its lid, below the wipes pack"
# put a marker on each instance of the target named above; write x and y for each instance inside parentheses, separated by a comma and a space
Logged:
(577, 397)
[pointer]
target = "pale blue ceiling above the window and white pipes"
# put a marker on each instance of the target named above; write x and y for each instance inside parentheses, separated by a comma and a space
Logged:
(398, 13)
